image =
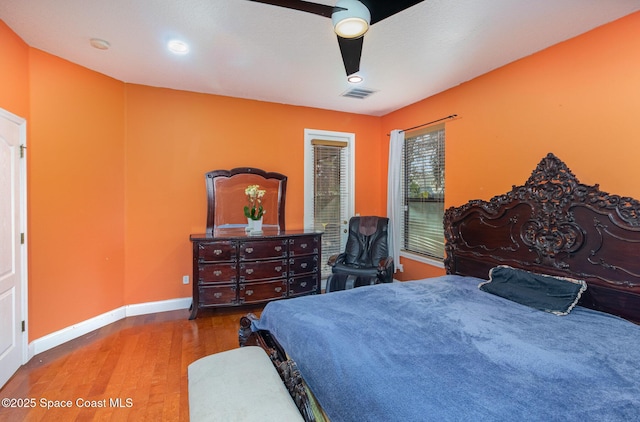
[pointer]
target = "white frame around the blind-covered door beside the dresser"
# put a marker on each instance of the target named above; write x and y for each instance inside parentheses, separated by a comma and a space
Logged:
(309, 135)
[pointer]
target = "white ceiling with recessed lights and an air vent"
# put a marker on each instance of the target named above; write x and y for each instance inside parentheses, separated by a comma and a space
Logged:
(257, 51)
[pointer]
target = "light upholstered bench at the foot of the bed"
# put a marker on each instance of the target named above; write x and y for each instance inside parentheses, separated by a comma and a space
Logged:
(238, 385)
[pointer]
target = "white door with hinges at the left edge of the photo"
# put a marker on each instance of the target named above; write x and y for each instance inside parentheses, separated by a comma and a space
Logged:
(12, 247)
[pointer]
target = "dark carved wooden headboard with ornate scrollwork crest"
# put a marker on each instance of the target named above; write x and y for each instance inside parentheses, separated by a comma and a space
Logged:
(555, 225)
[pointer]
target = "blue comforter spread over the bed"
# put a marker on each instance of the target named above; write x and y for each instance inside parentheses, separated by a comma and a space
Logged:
(442, 350)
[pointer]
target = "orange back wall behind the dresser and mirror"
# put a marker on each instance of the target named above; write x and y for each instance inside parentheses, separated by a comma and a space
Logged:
(175, 137)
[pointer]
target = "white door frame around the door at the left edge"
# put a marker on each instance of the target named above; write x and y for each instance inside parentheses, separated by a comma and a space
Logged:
(22, 163)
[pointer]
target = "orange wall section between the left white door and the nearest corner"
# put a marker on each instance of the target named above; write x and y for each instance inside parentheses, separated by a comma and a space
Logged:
(76, 182)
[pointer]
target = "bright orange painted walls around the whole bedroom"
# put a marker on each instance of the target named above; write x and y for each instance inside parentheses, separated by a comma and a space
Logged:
(116, 170)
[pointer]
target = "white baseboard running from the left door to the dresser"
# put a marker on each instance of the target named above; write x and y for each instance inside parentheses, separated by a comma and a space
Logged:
(76, 330)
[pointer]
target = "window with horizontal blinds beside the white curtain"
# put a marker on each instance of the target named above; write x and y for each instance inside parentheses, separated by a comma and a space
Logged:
(423, 192)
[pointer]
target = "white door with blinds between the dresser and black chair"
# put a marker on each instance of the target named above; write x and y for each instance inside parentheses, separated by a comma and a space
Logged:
(329, 188)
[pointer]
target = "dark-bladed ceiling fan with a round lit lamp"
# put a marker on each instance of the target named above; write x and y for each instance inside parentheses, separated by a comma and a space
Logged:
(351, 19)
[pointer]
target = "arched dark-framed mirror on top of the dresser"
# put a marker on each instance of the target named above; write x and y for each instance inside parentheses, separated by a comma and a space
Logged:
(226, 197)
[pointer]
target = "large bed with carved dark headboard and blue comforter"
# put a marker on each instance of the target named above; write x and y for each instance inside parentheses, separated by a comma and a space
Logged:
(536, 319)
